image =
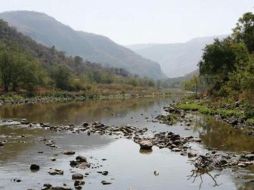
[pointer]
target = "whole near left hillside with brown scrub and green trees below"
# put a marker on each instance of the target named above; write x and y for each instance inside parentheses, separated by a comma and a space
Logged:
(26, 66)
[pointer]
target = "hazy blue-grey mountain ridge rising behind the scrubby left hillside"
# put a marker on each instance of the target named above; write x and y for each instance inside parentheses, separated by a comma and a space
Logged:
(94, 48)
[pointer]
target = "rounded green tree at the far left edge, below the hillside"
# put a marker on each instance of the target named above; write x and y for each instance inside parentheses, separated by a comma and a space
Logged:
(17, 69)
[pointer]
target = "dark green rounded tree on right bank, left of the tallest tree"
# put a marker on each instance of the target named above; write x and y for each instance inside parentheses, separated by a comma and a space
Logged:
(220, 60)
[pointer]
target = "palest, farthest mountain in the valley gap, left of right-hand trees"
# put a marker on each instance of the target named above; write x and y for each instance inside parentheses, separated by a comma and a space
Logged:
(176, 59)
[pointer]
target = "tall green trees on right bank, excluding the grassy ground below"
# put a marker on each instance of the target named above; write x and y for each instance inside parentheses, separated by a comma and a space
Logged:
(227, 66)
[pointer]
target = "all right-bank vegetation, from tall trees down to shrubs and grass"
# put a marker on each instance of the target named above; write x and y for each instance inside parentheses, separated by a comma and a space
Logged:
(226, 77)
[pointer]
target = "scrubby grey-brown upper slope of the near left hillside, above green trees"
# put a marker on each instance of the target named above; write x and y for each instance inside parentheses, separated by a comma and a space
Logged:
(11, 39)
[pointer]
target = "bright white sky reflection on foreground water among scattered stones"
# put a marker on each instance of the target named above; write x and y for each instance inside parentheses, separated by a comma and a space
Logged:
(129, 168)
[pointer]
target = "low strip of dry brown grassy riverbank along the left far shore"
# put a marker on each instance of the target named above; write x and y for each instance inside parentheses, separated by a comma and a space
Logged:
(101, 92)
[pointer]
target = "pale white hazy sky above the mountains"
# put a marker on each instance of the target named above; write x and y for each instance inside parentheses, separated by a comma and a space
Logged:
(141, 21)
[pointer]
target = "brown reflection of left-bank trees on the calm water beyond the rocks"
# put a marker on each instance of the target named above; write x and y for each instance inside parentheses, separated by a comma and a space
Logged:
(74, 112)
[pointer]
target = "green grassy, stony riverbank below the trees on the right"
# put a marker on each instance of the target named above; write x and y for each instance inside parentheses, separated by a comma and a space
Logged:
(235, 113)
